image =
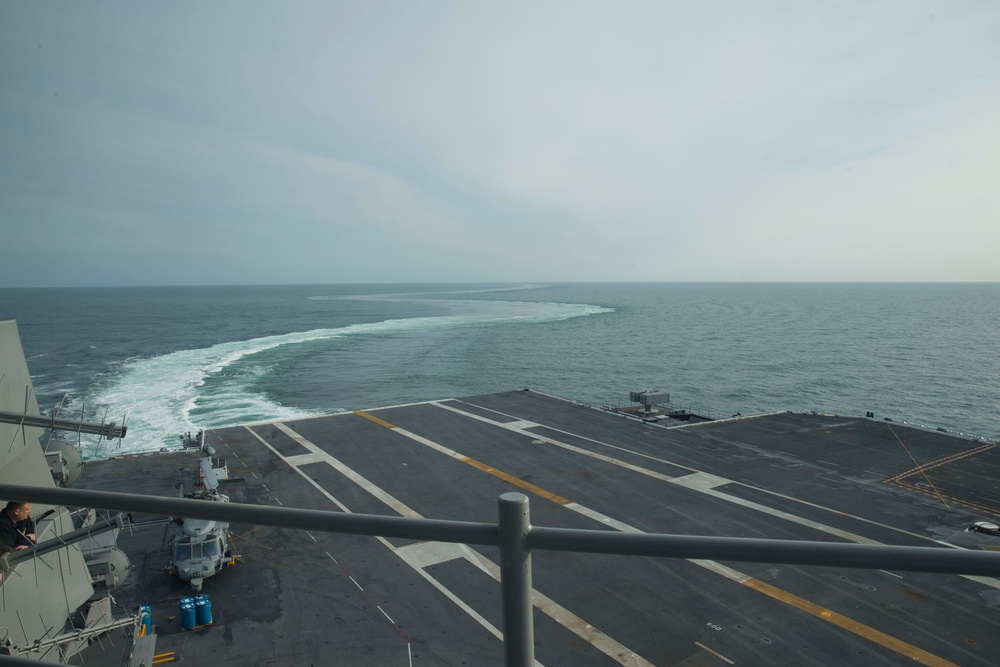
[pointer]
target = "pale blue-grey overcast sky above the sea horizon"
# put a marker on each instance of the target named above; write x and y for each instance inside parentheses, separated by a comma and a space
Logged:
(203, 143)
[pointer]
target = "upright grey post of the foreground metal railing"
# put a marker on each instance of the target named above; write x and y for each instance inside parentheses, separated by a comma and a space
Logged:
(515, 581)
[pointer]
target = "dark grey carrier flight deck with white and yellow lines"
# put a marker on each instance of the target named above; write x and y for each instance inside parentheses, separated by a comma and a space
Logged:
(322, 599)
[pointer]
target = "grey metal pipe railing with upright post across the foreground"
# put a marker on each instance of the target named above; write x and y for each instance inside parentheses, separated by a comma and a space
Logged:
(517, 538)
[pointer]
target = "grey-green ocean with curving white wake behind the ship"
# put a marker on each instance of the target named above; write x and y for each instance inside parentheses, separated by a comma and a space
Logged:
(177, 359)
